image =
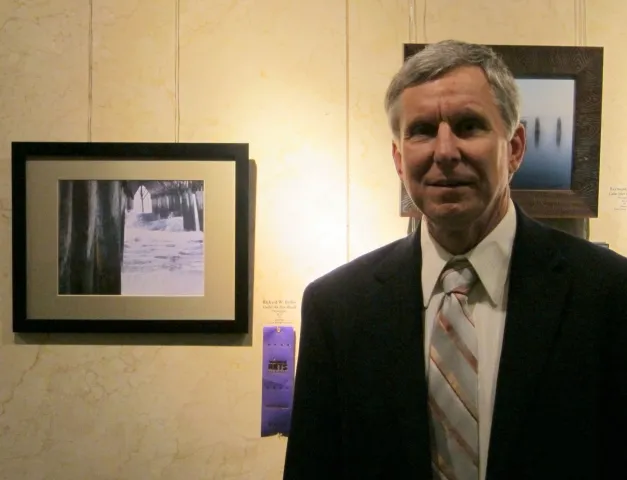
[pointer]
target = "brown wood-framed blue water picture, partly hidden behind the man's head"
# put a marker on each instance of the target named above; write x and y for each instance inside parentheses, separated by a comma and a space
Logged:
(561, 95)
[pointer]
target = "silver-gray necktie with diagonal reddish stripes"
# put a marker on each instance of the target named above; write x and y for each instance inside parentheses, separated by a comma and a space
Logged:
(452, 379)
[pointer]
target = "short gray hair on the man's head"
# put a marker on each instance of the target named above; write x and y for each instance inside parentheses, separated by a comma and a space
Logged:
(439, 58)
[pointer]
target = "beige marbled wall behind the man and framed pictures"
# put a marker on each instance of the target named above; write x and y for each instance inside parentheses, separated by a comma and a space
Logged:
(302, 82)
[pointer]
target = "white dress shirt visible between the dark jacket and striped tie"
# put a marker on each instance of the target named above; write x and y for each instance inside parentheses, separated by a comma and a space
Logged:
(487, 302)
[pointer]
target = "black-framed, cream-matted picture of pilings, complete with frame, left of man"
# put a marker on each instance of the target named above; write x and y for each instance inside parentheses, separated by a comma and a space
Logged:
(130, 237)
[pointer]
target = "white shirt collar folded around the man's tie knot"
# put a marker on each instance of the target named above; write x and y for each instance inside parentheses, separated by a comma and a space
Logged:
(490, 258)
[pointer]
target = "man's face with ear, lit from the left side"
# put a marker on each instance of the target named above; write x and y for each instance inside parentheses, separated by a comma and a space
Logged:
(453, 154)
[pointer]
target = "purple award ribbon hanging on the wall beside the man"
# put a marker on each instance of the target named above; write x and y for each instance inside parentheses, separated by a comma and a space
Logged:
(278, 379)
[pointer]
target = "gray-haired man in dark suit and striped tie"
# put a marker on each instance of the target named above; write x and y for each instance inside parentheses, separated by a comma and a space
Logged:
(405, 371)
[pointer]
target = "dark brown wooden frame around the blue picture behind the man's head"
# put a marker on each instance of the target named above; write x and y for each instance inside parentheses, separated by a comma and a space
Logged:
(584, 66)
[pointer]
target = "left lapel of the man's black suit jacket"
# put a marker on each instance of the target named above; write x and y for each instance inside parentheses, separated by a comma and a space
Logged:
(400, 303)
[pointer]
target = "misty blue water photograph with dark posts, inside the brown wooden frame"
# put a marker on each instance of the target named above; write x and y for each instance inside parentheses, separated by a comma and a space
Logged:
(547, 111)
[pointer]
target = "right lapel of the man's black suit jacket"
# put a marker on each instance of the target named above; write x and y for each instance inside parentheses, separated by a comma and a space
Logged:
(538, 287)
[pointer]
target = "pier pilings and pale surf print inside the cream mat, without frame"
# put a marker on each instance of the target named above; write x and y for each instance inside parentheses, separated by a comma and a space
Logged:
(131, 237)
